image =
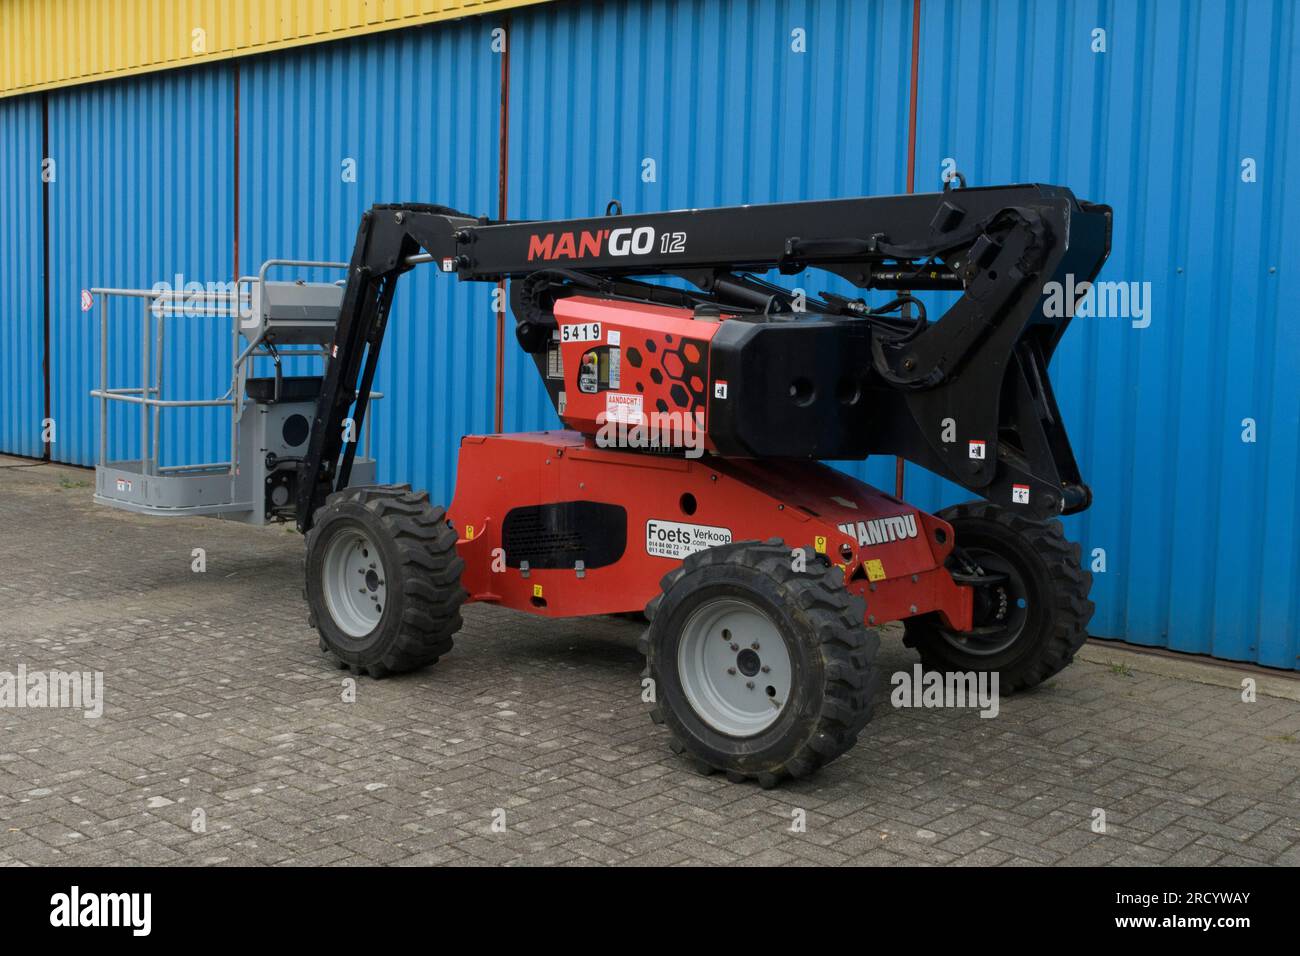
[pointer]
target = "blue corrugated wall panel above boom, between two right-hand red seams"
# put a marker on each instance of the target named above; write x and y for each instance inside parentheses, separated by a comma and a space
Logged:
(716, 96)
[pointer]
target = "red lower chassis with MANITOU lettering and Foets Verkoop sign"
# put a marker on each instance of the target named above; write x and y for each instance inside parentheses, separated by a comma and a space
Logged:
(891, 553)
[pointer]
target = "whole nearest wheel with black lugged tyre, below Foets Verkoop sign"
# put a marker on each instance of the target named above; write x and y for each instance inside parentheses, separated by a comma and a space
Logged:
(760, 671)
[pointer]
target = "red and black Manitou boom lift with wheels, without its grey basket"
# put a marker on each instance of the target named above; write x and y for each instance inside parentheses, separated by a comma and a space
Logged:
(762, 570)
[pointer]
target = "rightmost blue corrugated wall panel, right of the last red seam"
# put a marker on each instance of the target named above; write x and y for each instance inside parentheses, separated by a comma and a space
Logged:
(1201, 530)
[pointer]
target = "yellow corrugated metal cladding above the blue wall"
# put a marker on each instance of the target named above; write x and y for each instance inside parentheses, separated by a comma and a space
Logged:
(53, 45)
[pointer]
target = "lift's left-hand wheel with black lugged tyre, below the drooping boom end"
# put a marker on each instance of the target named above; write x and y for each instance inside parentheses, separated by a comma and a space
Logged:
(384, 579)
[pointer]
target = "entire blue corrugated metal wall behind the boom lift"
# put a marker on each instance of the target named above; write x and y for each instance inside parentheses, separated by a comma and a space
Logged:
(1201, 530)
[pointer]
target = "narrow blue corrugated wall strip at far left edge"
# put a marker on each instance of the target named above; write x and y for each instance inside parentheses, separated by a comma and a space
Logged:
(21, 308)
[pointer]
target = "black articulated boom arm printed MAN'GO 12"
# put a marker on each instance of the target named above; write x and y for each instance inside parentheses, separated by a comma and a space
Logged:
(965, 396)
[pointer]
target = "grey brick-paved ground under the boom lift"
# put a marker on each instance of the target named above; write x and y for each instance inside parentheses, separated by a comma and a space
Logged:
(218, 700)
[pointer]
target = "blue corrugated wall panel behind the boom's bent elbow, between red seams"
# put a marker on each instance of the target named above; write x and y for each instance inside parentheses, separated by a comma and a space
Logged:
(418, 113)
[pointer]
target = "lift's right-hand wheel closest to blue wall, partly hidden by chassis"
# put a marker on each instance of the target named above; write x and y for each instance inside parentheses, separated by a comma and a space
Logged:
(1032, 599)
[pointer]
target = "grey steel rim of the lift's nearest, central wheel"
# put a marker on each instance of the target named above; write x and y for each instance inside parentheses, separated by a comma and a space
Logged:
(735, 668)
